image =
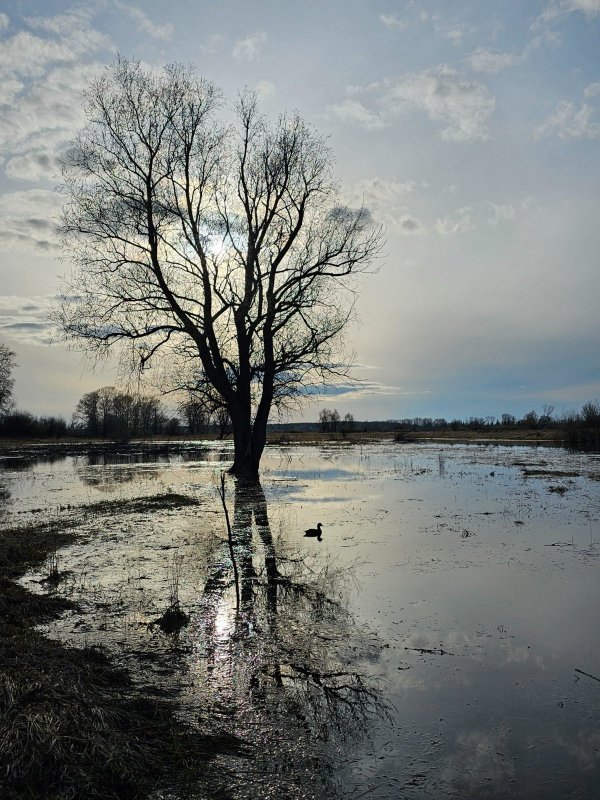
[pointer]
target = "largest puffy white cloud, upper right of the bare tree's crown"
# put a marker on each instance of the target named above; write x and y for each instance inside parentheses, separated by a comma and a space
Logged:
(445, 96)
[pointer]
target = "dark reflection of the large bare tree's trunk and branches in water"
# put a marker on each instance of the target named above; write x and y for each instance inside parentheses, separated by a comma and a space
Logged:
(293, 649)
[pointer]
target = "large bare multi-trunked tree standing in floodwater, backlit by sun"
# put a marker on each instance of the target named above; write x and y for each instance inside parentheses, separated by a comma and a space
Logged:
(225, 245)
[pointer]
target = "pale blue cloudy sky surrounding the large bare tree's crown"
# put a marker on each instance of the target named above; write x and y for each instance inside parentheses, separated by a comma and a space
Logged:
(471, 130)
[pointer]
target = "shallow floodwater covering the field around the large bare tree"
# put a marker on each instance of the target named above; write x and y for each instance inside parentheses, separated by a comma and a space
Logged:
(440, 641)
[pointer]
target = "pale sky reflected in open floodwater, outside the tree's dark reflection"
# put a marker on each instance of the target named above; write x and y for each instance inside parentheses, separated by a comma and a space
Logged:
(481, 580)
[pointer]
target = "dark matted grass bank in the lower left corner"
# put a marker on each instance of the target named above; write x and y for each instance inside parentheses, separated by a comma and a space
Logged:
(71, 725)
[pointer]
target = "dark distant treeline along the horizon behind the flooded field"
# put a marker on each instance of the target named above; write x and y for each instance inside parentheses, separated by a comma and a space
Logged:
(118, 415)
